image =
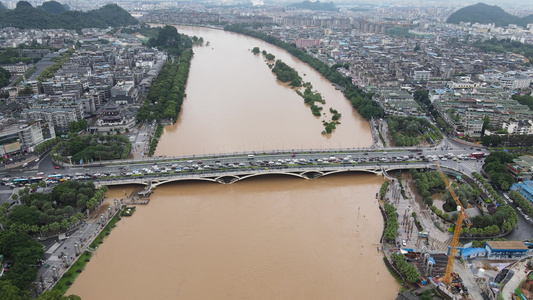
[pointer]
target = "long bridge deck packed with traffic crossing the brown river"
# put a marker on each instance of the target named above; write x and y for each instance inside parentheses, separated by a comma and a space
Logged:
(218, 168)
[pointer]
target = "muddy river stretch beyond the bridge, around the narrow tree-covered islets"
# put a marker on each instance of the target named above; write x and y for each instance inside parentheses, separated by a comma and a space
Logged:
(234, 103)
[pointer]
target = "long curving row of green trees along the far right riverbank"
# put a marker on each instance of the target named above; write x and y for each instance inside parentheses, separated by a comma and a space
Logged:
(360, 100)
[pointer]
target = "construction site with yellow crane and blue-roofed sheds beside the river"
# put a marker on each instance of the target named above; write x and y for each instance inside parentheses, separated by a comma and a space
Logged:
(446, 268)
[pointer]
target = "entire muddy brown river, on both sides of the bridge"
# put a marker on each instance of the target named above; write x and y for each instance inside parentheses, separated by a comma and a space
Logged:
(270, 237)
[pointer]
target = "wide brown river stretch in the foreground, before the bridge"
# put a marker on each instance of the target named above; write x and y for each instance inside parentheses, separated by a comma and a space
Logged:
(305, 239)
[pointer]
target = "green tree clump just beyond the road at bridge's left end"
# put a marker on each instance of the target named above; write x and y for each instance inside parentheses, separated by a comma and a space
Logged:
(87, 148)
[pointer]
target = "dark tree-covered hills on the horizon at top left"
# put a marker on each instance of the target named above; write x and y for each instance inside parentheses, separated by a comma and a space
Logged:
(25, 16)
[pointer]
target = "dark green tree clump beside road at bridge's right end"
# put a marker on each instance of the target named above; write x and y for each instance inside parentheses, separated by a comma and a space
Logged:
(495, 167)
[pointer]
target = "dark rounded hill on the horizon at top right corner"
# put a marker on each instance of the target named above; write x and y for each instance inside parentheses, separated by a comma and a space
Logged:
(484, 14)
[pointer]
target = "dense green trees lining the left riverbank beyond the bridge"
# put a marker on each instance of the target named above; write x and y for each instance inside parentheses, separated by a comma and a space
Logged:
(166, 94)
